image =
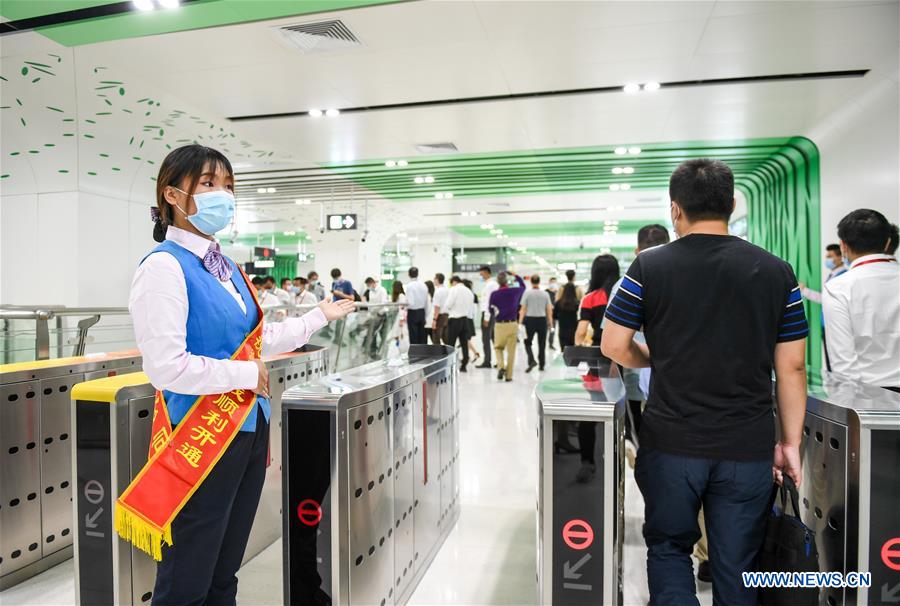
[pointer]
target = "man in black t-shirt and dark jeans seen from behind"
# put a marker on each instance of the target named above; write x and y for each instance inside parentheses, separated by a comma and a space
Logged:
(718, 314)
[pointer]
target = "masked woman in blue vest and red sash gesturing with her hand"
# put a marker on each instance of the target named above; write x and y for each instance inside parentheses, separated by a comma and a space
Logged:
(199, 328)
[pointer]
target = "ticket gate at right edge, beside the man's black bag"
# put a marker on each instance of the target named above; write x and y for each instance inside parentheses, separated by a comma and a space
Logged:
(850, 494)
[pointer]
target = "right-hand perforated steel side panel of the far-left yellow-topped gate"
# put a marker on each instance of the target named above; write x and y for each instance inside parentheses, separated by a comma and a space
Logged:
(56, 462)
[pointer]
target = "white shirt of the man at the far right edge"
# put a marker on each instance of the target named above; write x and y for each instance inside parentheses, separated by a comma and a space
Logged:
(862, 321)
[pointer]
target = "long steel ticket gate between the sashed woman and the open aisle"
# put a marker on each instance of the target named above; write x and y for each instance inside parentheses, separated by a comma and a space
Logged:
(371, 478)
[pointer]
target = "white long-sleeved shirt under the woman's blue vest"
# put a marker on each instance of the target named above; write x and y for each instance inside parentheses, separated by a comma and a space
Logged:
(159, 310)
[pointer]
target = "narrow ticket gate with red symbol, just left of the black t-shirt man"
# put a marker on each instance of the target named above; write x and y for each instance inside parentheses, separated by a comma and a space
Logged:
(580, 516)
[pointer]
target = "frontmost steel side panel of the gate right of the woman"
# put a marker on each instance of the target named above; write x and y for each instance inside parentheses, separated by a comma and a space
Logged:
(371, 513)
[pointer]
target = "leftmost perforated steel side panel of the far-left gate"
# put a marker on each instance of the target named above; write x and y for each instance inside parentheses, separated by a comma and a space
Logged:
(20, 507)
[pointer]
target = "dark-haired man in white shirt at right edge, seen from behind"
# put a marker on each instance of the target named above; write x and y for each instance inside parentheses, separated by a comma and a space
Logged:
(862, 307)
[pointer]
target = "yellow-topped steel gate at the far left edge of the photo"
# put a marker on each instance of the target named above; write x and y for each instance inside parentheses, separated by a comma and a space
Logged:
(35, 458)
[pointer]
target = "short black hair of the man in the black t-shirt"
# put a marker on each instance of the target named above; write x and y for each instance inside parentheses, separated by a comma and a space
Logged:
(704, 189)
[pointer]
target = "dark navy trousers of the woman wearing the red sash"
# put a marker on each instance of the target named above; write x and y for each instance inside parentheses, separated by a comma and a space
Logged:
(210, 533)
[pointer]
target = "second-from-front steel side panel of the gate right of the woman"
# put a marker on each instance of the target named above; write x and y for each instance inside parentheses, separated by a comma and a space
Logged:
(405, 402)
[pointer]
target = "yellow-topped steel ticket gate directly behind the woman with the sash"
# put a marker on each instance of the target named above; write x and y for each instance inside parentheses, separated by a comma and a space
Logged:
(111, 435)
